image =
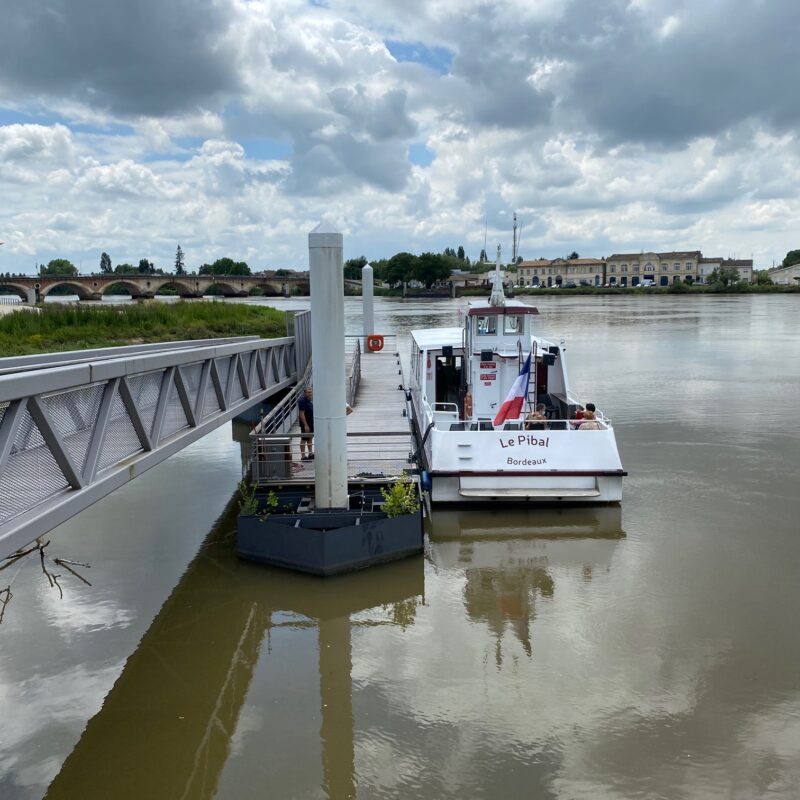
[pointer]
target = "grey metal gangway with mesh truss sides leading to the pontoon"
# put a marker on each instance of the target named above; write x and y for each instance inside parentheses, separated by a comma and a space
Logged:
(75, 426)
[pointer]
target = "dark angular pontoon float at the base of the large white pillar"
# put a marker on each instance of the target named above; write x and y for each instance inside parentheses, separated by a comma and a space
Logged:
(329, 542)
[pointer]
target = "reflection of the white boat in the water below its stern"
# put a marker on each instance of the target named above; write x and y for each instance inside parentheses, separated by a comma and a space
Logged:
(509, 558)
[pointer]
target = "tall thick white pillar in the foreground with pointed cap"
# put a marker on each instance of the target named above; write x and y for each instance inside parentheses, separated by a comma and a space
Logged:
(327, 359)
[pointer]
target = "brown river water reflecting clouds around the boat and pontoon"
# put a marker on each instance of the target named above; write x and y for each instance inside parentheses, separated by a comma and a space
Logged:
(645, 651)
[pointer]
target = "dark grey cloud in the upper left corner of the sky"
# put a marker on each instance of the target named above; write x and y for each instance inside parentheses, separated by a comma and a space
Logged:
(146, 57)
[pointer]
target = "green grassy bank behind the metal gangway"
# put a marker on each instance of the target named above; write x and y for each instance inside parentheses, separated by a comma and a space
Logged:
(75, 327)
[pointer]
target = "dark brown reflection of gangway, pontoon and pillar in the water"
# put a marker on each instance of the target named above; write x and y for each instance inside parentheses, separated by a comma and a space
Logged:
(165, 729)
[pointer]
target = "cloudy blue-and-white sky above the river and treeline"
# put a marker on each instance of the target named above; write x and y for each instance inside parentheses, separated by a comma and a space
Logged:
(231, 127)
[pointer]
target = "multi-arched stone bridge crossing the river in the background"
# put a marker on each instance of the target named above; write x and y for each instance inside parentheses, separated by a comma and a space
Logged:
(34, 288)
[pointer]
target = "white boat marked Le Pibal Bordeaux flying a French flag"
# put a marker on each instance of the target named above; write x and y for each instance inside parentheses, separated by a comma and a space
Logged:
(469, 448)
